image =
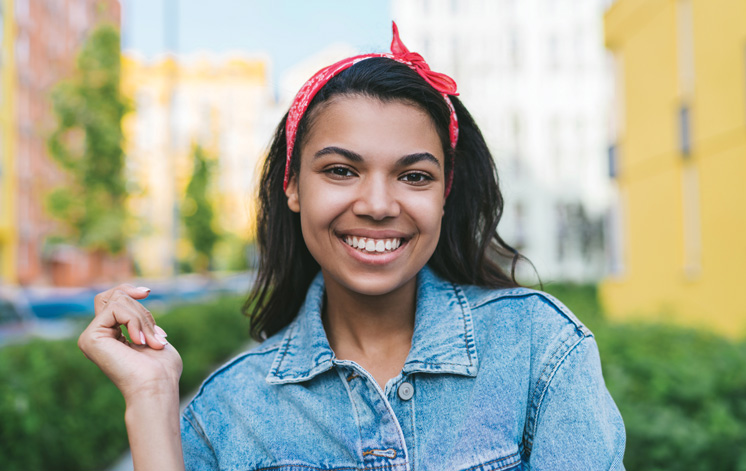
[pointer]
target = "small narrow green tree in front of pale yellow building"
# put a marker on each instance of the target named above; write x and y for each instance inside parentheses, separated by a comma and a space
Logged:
(197, 213)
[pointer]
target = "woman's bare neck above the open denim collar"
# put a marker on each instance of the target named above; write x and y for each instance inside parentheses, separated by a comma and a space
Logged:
(361, 327)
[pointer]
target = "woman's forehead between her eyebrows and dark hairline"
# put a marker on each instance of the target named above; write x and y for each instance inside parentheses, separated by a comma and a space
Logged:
(372, 127)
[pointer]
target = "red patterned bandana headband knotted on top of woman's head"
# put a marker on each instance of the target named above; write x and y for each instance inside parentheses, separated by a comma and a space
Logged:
(399, 52)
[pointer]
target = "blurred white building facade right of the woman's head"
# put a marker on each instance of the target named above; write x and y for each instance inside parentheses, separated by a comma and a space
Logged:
(535, 76)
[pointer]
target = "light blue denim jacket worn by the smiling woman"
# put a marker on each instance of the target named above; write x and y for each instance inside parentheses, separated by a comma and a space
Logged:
(502, 379)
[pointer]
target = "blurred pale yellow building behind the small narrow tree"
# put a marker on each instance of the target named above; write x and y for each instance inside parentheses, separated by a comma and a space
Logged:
(226, 105)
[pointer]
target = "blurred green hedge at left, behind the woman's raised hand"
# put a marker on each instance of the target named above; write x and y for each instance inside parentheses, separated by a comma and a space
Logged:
(60, 412)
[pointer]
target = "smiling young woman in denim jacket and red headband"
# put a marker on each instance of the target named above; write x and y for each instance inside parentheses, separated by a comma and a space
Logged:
(394, 339)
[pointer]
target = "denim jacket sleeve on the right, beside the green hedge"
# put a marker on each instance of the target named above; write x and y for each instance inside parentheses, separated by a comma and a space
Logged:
(576, 425)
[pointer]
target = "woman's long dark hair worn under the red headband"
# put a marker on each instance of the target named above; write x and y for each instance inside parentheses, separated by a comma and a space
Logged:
(469, 250)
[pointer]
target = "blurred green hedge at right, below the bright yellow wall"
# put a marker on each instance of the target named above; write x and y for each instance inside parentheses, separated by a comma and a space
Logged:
(681, 392)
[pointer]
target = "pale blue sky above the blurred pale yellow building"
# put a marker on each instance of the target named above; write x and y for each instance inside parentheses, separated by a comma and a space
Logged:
(286, 30)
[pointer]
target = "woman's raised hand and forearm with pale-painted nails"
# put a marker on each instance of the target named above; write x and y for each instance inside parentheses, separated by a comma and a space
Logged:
(146, 371)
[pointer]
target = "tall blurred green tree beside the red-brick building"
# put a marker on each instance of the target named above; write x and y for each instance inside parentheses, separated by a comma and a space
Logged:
(87, 143)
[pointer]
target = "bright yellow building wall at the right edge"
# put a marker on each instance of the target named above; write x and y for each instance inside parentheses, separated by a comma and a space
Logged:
(678, 246)
